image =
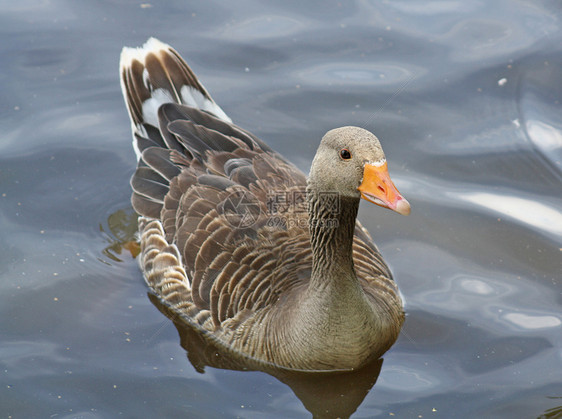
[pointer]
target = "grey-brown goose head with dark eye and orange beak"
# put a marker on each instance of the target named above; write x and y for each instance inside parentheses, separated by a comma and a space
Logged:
(351, 162)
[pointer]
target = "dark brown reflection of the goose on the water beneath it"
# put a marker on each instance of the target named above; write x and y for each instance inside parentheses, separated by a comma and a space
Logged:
(324, 394)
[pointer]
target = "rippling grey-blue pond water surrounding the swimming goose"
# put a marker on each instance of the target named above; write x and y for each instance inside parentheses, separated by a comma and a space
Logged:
(465, 96)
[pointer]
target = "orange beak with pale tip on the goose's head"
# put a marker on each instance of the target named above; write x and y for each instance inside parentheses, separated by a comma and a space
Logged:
(379, 189)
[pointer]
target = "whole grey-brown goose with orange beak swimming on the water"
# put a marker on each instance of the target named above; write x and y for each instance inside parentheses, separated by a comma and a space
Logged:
(239, 244)
